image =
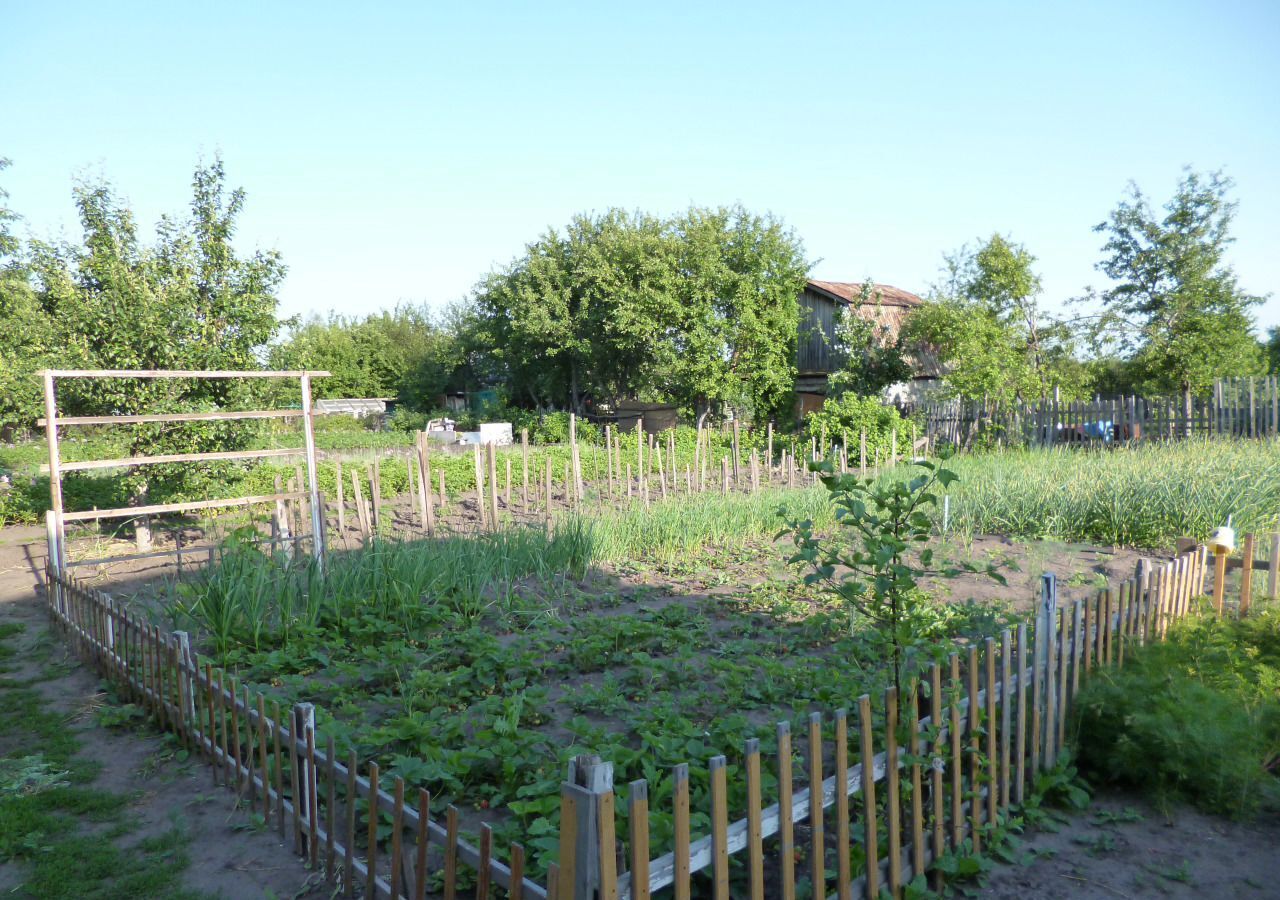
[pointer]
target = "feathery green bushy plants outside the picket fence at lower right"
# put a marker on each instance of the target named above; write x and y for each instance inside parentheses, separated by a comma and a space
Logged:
(1195, 718)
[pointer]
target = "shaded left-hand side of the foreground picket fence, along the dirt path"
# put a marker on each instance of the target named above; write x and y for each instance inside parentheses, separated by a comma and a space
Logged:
(273, 762)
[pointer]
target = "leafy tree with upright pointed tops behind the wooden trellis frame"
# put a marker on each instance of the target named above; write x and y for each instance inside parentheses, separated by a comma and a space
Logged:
(190, 301)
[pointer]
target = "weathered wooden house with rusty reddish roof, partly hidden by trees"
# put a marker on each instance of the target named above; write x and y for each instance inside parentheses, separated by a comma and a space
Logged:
(819, 357)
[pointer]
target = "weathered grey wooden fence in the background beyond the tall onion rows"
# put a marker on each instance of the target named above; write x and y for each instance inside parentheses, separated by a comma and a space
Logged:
(1238, 406)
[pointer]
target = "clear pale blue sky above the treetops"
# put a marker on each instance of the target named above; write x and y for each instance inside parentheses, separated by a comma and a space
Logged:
(399, 152)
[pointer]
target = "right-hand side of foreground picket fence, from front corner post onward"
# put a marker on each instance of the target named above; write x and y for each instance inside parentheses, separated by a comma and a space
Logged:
(949, 765)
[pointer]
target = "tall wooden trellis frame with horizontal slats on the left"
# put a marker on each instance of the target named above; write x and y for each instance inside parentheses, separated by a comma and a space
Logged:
(60, 517)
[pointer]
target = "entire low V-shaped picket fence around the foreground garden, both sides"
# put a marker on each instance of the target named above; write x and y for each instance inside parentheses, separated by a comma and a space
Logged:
(956, 751)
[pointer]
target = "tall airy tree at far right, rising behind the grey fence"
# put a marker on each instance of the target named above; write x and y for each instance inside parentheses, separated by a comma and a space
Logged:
(1177, 307)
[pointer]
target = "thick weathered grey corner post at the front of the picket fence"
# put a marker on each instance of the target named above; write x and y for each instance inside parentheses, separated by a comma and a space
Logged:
(587, 798)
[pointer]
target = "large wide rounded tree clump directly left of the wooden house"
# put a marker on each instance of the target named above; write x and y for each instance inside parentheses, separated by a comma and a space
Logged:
(701, 308)
